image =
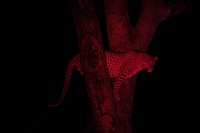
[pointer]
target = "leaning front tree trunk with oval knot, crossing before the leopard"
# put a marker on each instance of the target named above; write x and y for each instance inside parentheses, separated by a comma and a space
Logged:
(94, 68)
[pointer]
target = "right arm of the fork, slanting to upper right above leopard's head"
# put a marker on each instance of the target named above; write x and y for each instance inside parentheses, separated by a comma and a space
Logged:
(153, 12)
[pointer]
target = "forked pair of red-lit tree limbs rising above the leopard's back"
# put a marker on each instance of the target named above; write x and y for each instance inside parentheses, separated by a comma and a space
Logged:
(122, 37)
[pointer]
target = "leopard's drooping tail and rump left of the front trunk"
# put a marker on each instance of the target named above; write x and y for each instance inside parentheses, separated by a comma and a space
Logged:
(74, 62)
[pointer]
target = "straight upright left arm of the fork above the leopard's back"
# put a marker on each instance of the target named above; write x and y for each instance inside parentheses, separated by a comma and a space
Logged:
(118, 25)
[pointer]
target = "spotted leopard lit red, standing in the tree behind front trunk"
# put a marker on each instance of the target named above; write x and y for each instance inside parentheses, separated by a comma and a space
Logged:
(121, 66)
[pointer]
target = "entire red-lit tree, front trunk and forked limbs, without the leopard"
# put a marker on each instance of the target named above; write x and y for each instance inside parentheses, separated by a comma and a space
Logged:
(110, 115)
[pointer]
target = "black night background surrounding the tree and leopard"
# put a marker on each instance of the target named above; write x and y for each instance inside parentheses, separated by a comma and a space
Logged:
(40, 41)
